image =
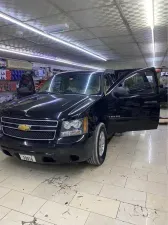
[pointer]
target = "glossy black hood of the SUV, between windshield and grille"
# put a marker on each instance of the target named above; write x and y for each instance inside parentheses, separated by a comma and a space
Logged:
(48, 106)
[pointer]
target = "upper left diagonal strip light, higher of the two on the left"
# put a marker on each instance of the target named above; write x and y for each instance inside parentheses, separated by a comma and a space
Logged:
(33, 29)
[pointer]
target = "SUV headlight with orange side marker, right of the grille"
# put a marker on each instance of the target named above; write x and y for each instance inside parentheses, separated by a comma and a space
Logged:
(74, 127)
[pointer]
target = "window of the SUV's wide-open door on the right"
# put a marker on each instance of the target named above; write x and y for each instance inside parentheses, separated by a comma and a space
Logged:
(138, 83)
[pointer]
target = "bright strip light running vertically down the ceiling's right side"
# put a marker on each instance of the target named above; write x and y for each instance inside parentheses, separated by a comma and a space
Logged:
(149, 6)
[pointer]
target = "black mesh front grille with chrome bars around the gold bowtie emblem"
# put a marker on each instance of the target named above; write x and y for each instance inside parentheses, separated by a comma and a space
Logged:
(39, 129)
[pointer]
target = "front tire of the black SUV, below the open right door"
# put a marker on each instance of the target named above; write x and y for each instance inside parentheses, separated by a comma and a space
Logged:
(98, 156)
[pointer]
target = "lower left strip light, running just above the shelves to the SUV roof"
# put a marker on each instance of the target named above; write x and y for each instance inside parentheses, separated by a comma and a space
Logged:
(49, 58)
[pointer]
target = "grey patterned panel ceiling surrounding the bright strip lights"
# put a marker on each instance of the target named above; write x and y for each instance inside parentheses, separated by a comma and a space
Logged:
(115, 29)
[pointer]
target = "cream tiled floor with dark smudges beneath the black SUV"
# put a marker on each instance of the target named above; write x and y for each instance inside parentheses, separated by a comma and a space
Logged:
(131, 187)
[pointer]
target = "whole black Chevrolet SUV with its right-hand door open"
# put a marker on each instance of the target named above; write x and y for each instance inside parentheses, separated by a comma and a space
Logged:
(72, 116)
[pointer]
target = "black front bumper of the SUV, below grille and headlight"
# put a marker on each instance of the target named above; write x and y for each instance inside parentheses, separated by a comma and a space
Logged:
(61, 151)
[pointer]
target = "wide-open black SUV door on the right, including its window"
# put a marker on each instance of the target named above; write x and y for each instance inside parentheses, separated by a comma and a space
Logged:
(133, 102)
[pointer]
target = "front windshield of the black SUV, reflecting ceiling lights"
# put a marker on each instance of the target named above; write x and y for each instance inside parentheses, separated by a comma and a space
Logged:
(87, 83)
